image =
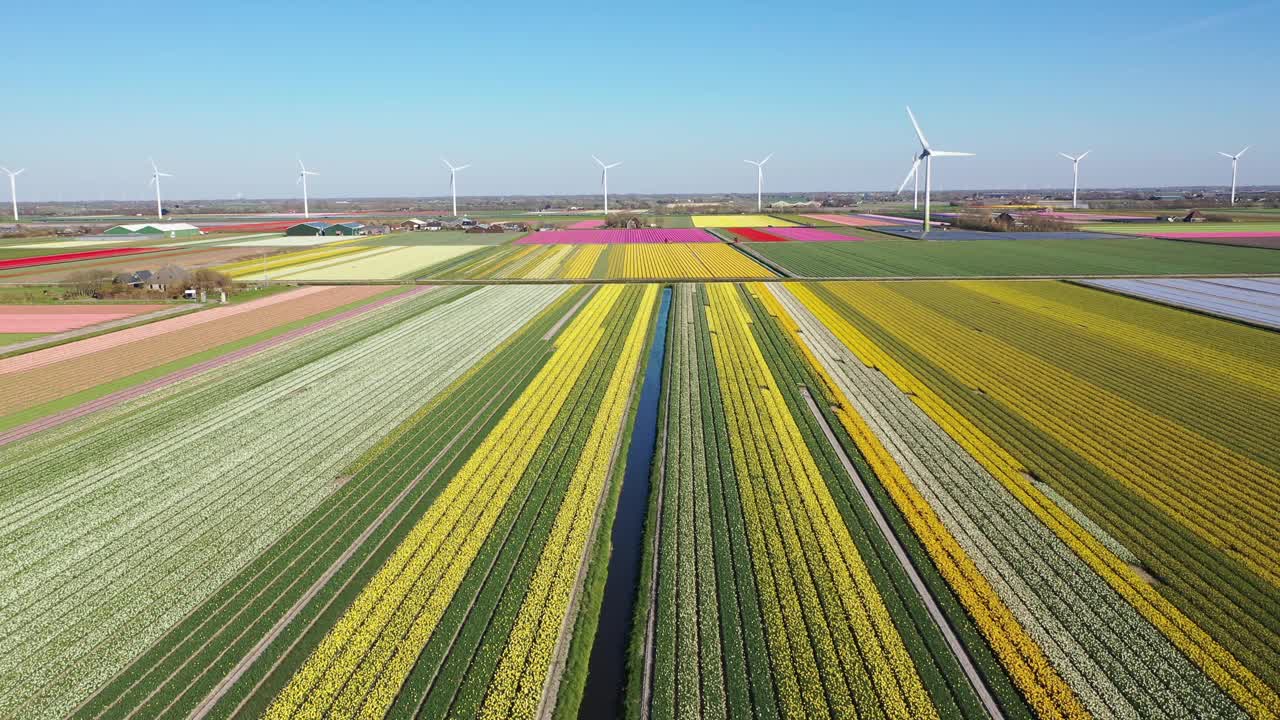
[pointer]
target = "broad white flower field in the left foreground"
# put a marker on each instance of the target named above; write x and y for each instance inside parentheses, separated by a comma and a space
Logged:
(131, 536)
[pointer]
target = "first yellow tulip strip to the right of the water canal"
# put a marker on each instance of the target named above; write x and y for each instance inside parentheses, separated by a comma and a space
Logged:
(813, 582)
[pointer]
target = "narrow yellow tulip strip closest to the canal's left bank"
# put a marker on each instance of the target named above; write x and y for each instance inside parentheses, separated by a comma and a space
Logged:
(518, 683)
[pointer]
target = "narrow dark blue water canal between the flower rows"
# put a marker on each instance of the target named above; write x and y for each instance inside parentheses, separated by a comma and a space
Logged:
(606, 677)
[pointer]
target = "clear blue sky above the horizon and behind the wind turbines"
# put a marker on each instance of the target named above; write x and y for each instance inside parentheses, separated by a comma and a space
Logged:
(226, 97)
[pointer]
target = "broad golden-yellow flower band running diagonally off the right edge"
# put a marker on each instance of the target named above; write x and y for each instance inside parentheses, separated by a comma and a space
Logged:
(1212, 490)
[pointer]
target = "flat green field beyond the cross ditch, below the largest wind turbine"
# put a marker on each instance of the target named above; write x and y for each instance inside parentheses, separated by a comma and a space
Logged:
(1137, 257)
